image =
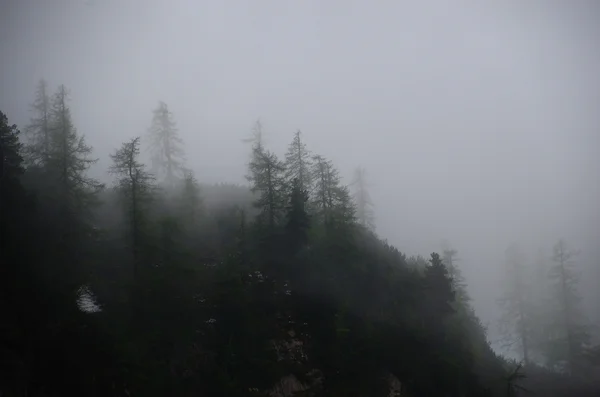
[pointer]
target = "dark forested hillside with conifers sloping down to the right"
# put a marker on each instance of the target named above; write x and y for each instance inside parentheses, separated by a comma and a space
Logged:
(220, 290)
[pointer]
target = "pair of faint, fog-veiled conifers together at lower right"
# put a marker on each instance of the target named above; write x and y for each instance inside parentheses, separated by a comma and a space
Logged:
(543, 319)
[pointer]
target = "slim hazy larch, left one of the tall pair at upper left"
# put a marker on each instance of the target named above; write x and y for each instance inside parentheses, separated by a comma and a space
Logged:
(38, 131)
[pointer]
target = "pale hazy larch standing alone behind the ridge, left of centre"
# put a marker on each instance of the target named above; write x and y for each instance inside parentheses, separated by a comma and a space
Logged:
(166, 147)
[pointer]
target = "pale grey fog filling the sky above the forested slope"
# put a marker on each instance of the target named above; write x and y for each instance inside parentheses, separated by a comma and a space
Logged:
(477, 123)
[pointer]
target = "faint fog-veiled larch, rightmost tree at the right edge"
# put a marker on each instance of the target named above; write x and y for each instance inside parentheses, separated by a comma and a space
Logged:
(571, 336)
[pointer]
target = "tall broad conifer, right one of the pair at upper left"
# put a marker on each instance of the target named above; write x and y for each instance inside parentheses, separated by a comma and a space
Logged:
(71, 195)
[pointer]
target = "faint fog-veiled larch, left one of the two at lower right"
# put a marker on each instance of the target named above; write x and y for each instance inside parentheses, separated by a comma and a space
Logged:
(516, 321)
